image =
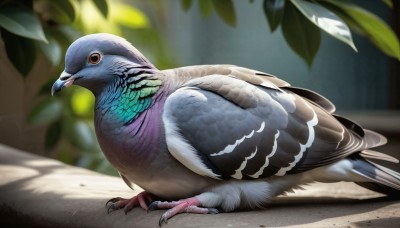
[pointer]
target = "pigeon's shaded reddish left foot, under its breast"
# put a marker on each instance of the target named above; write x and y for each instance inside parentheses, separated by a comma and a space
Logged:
(138, 200)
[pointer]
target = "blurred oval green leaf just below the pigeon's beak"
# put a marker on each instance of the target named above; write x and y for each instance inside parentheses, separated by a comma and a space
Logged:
(46, 111)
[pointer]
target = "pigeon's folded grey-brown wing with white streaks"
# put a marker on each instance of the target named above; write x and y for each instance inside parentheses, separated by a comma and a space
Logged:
(247, 124)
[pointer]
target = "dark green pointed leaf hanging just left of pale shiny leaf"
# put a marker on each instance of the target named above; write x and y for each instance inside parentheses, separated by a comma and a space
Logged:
(301, 35)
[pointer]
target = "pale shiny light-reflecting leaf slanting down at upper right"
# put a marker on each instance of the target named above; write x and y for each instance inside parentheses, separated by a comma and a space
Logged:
(325, 20)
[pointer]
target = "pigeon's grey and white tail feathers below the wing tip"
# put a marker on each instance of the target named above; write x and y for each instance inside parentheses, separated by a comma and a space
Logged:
(379, 178)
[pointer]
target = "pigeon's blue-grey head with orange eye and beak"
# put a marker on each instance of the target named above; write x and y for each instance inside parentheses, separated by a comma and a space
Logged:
(96, 60)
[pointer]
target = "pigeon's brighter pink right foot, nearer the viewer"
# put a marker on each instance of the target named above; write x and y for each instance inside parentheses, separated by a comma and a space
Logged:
(190, 205)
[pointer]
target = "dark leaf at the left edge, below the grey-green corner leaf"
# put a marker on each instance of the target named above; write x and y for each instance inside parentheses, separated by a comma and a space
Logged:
(20, 51)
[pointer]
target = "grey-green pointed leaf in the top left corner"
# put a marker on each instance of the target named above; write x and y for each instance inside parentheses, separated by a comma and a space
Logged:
(22, 22)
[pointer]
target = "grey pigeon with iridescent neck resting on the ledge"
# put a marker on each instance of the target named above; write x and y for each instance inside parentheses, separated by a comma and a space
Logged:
(215, 138)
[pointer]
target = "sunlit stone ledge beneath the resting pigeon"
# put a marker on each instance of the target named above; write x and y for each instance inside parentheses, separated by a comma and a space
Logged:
(41, 192)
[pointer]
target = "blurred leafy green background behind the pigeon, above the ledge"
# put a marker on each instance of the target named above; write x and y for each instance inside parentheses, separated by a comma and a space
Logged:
(310, 44)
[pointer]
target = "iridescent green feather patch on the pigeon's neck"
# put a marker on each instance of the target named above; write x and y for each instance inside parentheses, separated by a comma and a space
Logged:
(128, 100)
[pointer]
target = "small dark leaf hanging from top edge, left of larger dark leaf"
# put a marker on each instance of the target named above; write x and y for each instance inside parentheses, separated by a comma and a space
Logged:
(274, 9)
